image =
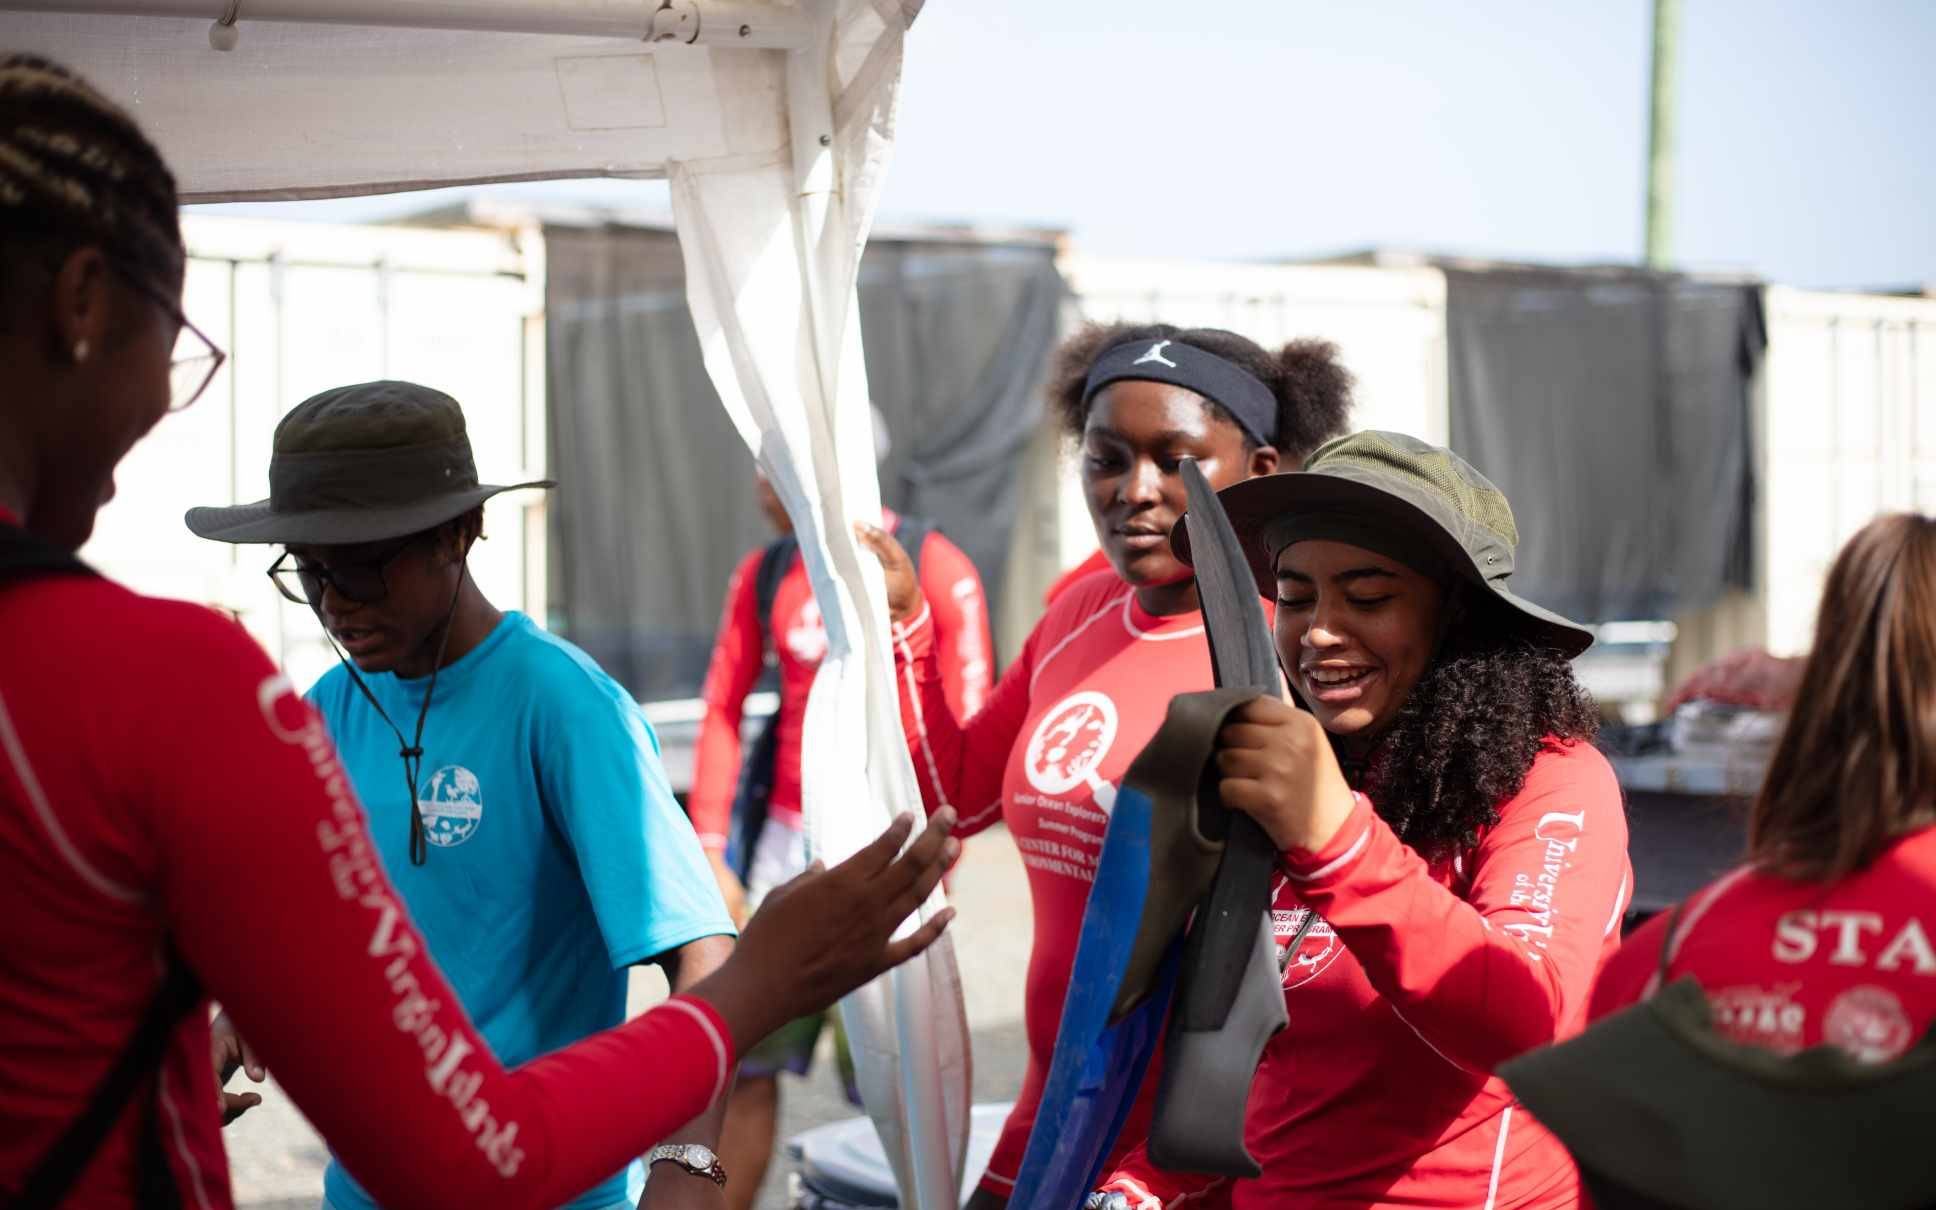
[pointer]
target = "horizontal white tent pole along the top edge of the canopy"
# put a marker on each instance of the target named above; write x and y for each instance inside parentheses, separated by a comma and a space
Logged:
(748, 24)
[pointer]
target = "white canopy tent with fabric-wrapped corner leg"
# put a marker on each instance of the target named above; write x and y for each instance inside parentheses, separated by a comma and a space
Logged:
(773, 125)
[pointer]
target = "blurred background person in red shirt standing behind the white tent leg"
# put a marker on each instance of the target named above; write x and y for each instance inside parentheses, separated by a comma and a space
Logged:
(793, 636)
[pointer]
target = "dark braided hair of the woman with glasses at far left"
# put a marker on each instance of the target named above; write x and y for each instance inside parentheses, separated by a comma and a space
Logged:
(76, 171)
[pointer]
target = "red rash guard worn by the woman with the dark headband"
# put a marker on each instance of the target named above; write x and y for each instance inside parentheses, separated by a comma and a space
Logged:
(1087, 692)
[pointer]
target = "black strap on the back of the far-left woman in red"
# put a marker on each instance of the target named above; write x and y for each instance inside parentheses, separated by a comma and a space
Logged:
(140, 1062)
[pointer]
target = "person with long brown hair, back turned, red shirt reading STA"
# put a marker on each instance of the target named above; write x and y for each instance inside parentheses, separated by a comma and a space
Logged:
(1829, 934)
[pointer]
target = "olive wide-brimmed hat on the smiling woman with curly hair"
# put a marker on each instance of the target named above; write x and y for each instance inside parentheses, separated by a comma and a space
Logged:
(1414, 500)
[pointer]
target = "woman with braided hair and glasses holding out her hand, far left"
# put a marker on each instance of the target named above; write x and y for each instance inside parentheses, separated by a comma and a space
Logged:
(177, 826)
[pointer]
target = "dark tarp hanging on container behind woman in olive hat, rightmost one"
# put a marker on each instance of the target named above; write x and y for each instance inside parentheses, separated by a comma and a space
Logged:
(1614, 411)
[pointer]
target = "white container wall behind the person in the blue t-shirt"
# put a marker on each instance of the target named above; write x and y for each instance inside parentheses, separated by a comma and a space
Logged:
(305, 307)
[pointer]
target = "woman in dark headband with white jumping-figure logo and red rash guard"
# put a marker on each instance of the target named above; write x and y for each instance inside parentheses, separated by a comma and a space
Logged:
(1097, 675)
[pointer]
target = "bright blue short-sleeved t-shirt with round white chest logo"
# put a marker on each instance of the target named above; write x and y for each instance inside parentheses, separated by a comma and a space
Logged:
(557, 853)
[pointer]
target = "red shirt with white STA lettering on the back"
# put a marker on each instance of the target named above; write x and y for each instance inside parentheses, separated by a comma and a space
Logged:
(1794, 965)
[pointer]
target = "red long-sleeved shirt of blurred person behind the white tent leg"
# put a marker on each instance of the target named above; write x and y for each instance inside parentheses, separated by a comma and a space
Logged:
(953, 595)
